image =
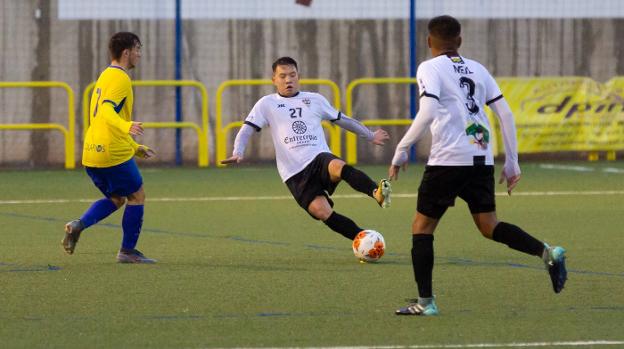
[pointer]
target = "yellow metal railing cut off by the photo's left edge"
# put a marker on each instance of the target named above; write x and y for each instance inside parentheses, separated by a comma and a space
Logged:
(68, 133)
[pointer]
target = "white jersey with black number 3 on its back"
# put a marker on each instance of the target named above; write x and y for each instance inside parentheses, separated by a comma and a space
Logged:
(460, 129)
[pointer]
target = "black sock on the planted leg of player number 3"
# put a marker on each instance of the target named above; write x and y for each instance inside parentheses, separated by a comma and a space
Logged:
(422, 263)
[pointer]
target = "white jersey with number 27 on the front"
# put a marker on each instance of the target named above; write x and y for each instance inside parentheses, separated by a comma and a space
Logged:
(295, 124)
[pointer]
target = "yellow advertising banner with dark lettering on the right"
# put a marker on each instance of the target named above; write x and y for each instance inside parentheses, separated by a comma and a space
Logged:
(566, 113)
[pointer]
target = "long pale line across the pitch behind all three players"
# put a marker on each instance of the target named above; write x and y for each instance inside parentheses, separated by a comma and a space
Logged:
(288, 197)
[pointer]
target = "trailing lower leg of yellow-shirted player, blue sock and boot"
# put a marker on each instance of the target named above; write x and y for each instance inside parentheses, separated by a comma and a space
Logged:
(99, 210)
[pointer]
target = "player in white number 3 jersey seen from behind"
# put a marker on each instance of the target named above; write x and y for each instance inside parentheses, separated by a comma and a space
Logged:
(454, 91)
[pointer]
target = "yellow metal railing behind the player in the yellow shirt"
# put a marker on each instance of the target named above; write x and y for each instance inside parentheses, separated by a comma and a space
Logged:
(202, 131)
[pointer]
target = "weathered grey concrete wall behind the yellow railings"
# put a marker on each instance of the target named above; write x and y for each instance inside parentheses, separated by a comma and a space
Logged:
(41, 47)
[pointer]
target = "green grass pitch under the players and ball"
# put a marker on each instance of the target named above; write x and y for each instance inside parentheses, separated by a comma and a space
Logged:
(241, 265)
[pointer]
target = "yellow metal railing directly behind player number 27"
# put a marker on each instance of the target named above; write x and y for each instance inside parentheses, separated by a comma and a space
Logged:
(222, 131)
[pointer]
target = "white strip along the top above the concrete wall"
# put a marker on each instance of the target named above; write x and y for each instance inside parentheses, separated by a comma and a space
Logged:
(342, 9)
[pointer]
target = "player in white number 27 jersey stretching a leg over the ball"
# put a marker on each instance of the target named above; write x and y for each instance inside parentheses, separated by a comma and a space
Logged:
(304, 160)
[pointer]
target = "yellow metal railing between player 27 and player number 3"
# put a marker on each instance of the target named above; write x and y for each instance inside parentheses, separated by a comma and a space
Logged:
(351, 138)
